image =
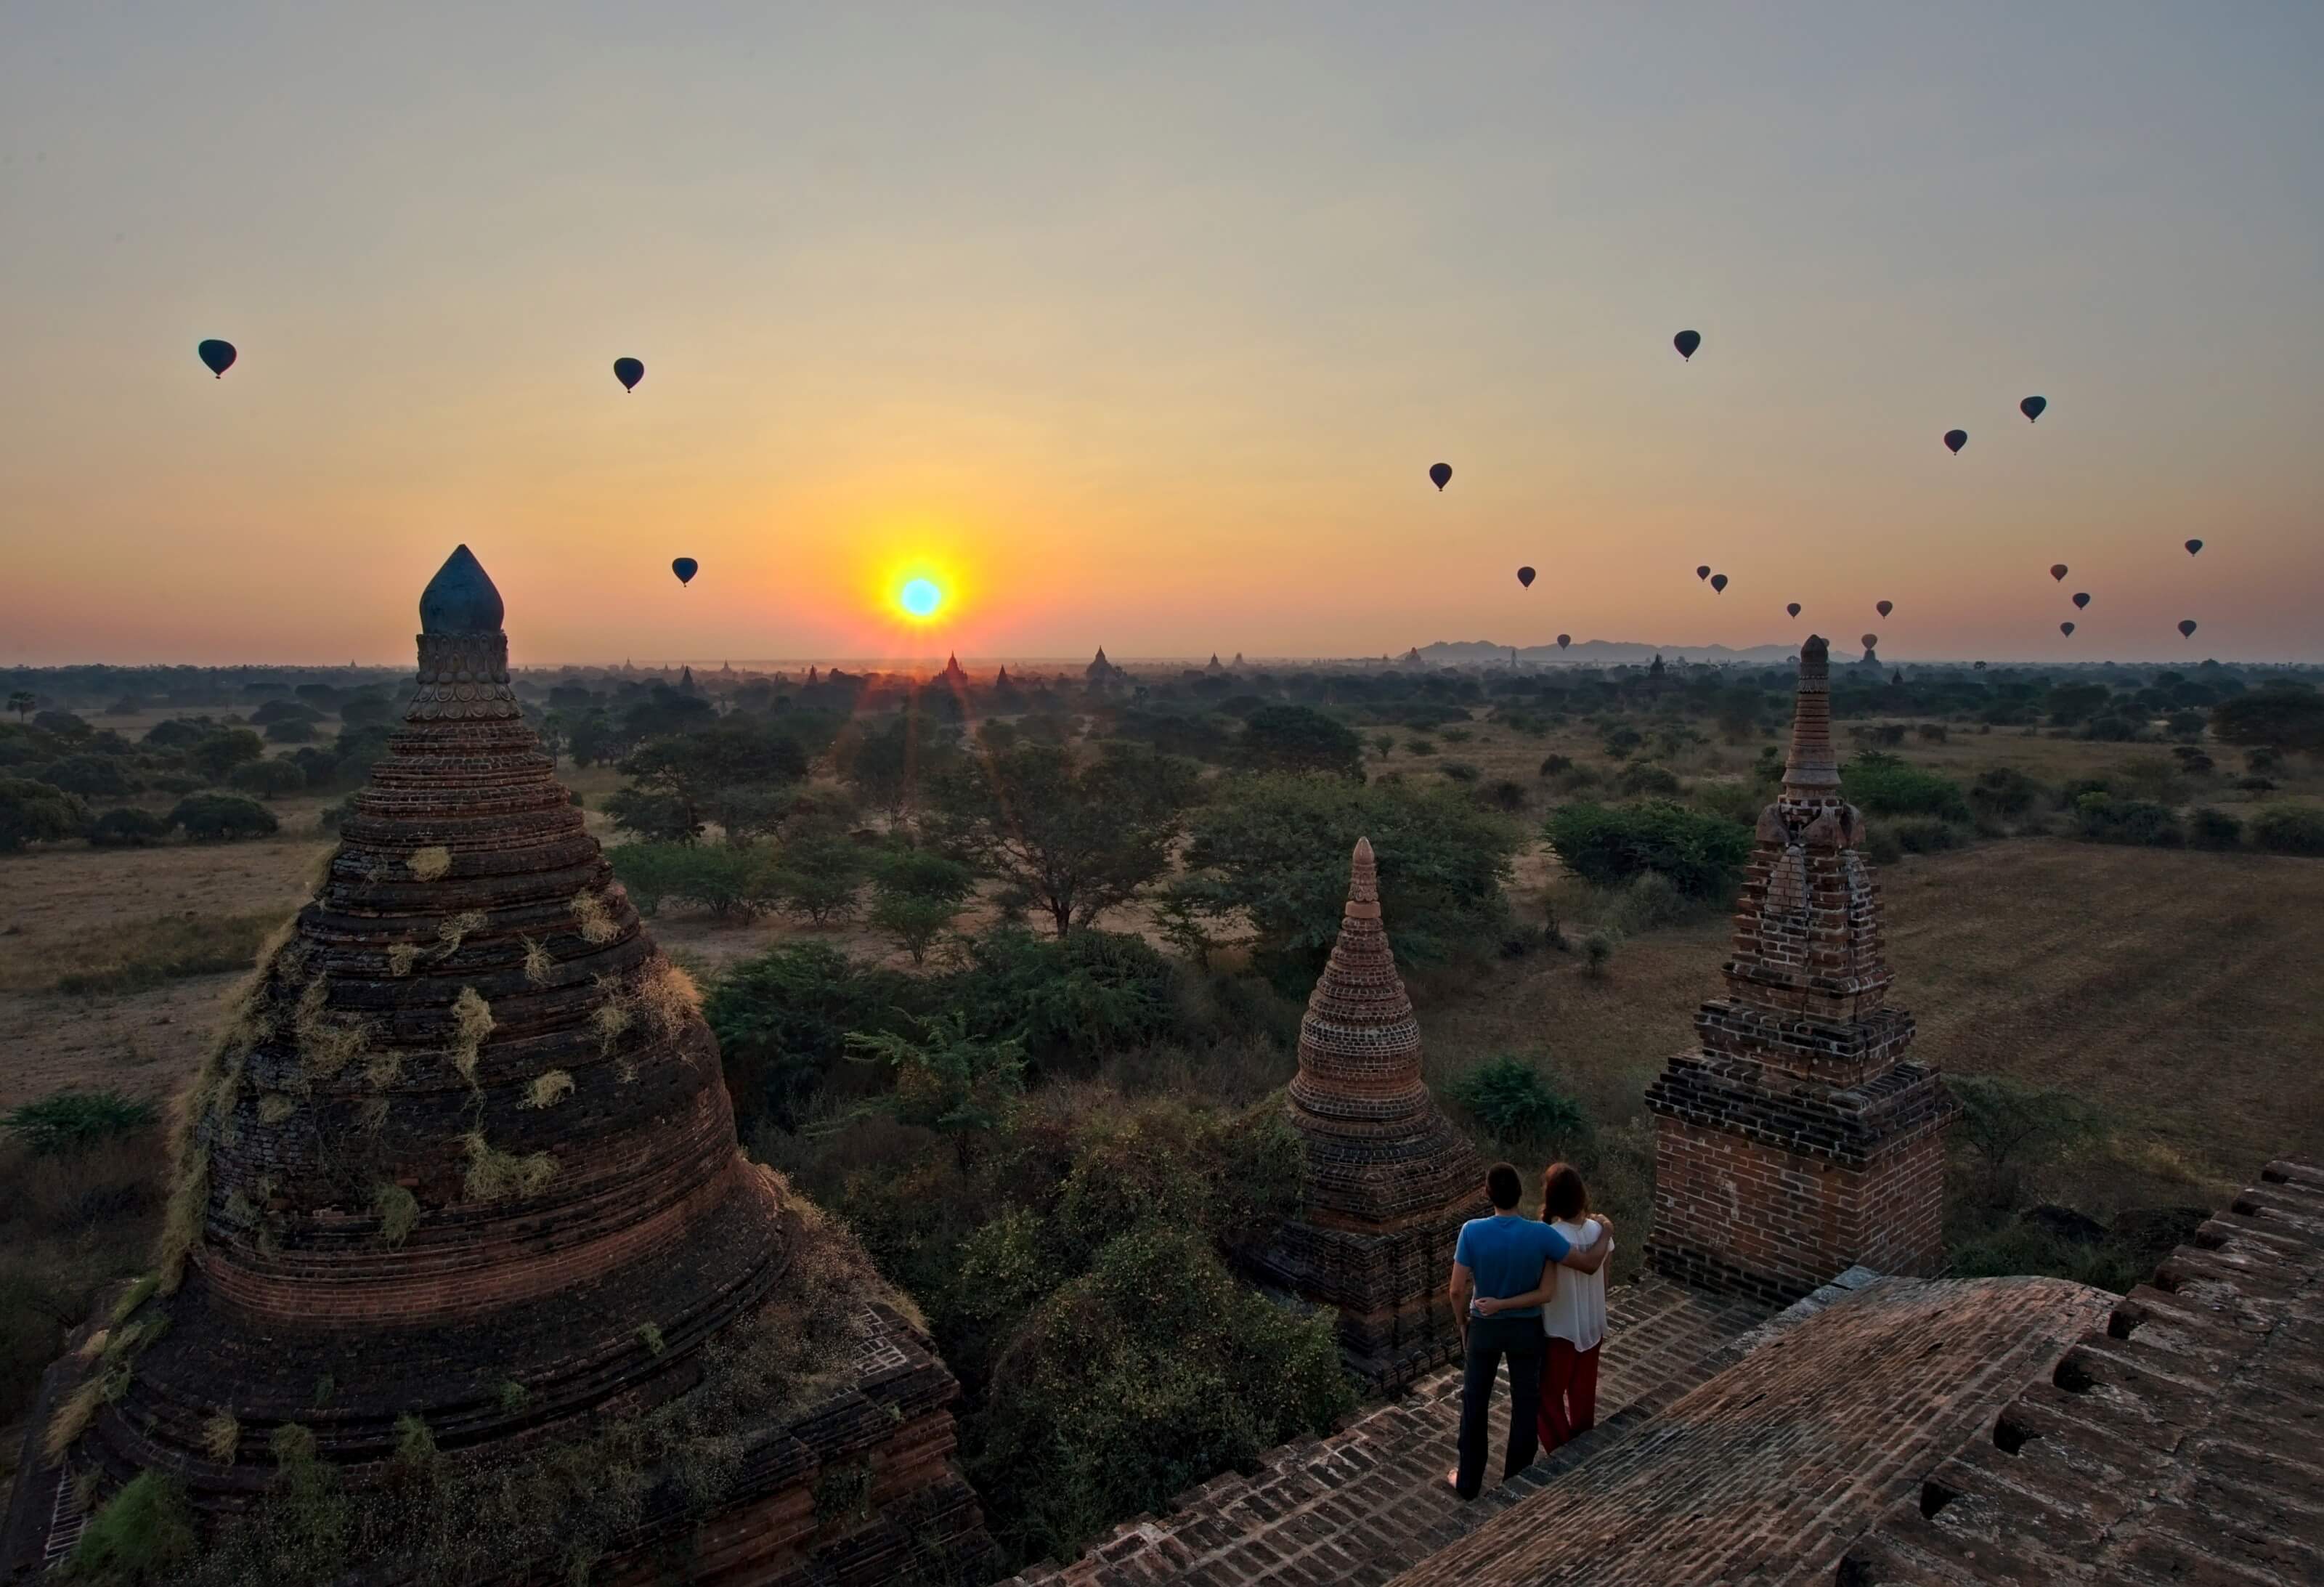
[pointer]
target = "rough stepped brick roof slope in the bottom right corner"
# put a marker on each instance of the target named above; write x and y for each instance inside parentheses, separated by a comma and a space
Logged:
(2181, 1442)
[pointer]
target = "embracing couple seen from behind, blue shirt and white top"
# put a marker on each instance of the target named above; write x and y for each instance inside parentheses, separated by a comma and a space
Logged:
(1514, 1300)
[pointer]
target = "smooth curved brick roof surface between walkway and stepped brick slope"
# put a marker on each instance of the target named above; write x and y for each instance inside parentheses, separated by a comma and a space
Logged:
(1777, 1465)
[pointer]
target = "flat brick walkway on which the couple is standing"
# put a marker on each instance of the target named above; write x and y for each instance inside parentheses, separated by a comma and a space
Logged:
(1370, 1500)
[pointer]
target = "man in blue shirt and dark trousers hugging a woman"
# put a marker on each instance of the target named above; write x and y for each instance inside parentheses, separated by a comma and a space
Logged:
(1498, 1258)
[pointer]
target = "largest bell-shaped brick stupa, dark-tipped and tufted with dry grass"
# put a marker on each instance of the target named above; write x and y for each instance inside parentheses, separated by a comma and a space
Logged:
(464, 1161)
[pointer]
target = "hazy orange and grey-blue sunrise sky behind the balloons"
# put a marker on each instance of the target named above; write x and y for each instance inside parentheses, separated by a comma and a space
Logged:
(1140, 326)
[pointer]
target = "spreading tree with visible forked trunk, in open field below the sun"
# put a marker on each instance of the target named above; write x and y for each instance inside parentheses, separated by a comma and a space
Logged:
(1077, 838)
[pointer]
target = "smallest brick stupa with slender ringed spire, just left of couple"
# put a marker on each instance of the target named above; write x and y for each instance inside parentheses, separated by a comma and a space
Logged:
(1389, 1182)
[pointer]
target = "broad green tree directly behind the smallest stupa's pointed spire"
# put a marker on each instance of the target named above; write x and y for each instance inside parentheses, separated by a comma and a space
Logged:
(1275, 852)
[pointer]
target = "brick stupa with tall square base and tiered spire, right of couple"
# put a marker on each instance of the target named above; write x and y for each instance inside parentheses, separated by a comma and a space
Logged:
(1800, 1140)
